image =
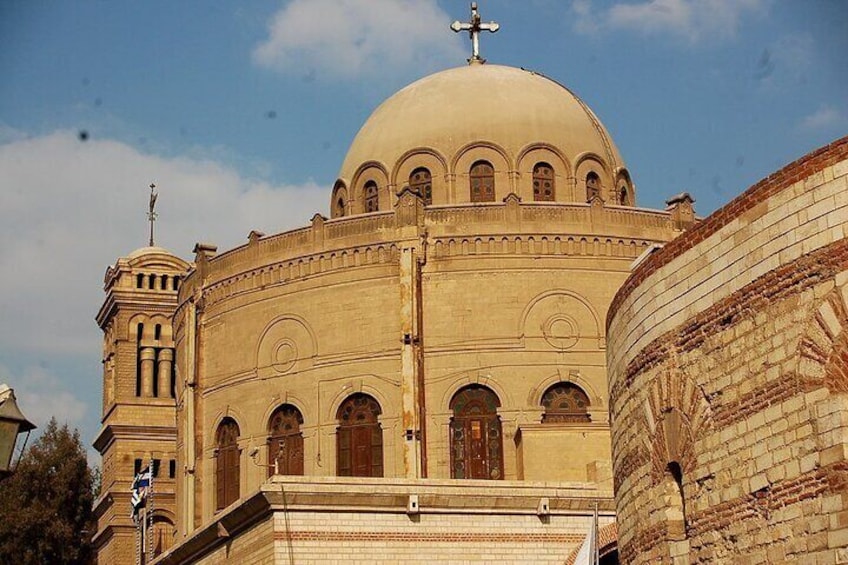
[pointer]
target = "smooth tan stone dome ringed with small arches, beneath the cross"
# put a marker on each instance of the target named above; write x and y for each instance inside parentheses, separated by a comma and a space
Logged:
(448, 120)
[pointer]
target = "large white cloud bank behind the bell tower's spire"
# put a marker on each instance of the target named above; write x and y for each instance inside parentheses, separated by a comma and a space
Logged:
(68, 209)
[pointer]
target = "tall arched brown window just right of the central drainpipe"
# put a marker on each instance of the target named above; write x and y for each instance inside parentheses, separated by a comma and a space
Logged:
(476, 435)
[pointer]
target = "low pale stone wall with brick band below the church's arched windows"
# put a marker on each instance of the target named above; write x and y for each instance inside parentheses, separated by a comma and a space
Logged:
(347, 520)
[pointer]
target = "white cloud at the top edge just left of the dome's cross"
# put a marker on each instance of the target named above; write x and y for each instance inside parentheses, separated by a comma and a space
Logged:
(346, 38)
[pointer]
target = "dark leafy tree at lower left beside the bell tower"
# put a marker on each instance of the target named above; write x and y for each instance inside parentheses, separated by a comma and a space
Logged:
(46, 505)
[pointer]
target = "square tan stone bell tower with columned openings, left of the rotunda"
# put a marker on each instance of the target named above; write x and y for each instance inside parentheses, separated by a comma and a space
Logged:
(138, 414)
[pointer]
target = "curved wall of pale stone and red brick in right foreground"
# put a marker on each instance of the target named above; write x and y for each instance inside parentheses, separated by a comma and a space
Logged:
(728, 394)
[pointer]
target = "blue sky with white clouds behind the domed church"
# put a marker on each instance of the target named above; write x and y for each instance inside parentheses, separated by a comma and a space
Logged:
(242, 113)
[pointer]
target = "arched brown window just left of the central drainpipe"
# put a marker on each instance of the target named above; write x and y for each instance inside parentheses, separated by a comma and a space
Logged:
(359, 438)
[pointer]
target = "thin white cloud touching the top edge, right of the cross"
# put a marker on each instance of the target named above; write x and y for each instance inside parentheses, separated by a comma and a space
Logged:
(693, 20)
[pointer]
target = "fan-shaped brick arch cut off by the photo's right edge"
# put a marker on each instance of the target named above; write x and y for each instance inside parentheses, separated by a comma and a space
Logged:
(823, 347)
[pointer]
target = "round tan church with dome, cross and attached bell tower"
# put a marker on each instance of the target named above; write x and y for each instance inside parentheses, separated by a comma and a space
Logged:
(421, 374)
